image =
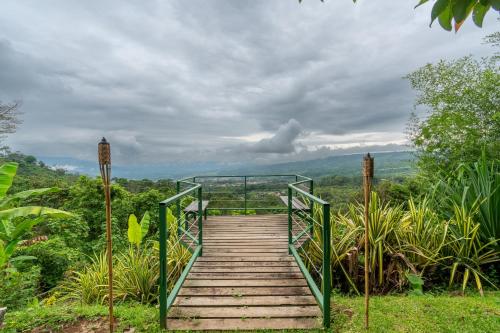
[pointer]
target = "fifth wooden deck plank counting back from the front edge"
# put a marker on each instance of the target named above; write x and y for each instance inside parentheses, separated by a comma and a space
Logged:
(245, 283)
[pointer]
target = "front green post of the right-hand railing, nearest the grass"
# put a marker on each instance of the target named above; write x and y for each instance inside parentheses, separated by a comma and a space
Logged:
(326, 265)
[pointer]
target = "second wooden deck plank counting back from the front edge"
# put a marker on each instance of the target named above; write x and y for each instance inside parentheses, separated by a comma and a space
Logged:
(245, 312)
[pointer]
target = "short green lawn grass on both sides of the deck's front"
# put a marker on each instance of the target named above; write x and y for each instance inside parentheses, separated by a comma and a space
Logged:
(442, 313)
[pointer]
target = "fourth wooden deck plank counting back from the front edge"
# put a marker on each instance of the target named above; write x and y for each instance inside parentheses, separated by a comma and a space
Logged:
(244, 291)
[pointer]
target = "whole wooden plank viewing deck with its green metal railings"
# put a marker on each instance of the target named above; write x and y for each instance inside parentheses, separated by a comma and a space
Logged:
(245, 252)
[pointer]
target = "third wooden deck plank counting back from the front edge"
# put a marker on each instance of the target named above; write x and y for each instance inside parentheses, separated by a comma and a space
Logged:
(244, 300)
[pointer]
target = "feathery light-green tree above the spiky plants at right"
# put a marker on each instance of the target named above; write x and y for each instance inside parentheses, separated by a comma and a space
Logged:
(462, 97)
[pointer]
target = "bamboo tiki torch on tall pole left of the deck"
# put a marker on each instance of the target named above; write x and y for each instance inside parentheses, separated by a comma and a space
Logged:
(104, 153)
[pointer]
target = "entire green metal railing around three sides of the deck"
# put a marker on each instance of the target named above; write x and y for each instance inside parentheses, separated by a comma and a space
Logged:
(308, 226)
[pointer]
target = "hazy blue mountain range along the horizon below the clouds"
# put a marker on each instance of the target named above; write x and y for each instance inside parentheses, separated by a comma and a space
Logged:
(386, 163)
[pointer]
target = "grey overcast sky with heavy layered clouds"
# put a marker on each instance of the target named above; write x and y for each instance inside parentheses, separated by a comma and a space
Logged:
(202, 80)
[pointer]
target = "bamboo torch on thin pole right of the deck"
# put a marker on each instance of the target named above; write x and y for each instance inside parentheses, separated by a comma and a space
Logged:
(367, 183)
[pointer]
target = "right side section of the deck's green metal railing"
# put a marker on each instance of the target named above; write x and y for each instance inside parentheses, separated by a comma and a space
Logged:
(309, 241)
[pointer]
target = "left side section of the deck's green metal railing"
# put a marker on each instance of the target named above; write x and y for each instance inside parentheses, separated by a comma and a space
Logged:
(182, 235)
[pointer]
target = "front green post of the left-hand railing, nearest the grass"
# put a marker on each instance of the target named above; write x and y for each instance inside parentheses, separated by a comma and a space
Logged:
(163, 266)
